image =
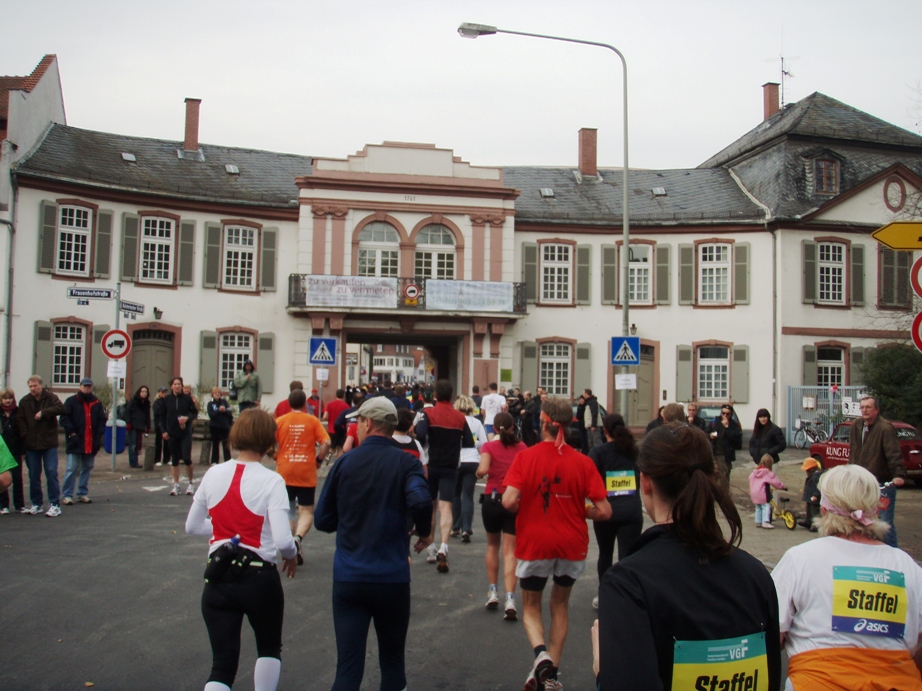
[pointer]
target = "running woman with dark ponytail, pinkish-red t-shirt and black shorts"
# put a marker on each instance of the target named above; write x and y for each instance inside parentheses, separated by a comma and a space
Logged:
(499, 523)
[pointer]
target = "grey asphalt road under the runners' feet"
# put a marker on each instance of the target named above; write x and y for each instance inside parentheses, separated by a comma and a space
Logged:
(108, 594)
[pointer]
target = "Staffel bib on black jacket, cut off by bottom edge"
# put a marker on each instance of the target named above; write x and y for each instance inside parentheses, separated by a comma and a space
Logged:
(737, 664)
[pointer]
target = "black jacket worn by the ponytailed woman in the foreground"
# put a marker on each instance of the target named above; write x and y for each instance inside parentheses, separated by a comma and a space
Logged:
(663, 592)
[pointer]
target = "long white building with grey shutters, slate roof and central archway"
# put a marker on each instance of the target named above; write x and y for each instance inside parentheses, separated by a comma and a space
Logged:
(749, 275)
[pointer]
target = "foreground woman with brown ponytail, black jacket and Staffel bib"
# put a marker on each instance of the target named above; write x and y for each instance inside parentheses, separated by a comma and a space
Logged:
(687, 600)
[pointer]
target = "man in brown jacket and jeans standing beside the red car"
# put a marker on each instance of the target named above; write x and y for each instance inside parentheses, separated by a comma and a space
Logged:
(873, 444)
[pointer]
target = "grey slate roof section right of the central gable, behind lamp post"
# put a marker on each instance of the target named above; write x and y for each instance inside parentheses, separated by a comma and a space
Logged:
(695, 195)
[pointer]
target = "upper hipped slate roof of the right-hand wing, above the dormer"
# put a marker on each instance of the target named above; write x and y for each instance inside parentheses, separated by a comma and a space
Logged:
(817, 115)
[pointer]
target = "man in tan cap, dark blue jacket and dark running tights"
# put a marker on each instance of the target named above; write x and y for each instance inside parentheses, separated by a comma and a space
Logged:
(367, 498)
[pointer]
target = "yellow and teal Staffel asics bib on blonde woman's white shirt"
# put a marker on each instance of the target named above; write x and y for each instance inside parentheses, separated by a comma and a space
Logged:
(869, 601)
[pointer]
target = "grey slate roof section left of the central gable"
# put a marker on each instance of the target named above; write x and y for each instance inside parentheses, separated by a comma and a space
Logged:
(92, 158)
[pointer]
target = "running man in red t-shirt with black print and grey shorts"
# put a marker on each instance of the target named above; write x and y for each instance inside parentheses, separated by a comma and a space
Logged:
(554, 489)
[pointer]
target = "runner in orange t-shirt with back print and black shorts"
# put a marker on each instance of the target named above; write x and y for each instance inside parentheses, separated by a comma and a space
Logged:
(296, 460)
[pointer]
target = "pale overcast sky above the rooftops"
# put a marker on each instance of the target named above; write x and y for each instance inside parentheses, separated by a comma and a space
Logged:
(325, 78)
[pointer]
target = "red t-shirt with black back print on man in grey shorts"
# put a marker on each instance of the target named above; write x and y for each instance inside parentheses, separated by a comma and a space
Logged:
(551, 522)
